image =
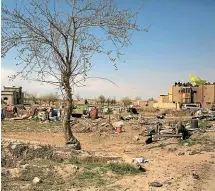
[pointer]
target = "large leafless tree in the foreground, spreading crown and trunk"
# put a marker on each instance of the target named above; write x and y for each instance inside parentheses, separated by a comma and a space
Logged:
(57, 39)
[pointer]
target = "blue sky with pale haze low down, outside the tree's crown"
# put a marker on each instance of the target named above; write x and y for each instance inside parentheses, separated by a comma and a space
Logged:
(180, 41)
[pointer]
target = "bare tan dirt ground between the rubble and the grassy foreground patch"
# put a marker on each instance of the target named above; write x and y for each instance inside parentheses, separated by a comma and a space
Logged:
(172, 162)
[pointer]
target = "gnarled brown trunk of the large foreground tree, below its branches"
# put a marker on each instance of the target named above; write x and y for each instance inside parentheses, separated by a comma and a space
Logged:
(69, 137)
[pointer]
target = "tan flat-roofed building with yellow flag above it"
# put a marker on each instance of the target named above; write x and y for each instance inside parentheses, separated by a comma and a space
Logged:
(185, 94)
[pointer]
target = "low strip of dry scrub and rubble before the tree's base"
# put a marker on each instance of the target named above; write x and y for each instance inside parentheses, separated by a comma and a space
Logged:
(15, 153)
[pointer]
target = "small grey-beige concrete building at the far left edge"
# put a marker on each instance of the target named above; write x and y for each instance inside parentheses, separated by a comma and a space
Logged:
(12, 95)
